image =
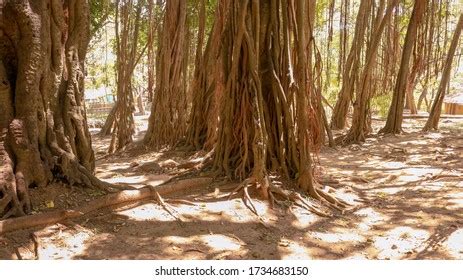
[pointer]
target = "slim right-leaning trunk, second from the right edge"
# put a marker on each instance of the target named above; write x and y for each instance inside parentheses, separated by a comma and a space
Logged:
(395, 116)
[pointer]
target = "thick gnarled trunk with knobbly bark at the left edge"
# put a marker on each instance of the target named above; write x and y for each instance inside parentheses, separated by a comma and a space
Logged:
(44, 132)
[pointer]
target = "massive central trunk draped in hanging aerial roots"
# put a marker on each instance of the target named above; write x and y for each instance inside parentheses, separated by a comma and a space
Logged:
(268, 120)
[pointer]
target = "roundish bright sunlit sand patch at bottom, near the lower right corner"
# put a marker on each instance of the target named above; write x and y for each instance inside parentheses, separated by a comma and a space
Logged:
(400, 241)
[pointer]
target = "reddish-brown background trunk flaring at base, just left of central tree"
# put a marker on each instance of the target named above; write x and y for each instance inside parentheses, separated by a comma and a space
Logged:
(169, 109)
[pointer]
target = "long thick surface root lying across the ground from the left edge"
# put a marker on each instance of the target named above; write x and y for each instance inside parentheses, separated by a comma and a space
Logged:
(105, 201)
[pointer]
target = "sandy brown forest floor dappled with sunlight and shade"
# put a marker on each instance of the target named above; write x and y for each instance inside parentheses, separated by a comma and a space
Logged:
(406, 190)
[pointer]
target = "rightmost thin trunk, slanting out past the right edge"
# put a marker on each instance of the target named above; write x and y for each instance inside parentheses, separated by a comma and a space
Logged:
(434, 116)
